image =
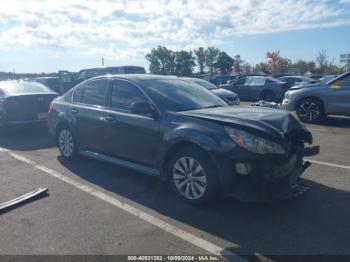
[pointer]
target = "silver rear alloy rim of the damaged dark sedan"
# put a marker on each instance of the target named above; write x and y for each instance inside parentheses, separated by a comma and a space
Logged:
(67, 143)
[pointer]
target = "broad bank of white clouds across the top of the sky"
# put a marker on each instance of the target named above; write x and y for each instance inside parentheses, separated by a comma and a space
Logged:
(129, 28)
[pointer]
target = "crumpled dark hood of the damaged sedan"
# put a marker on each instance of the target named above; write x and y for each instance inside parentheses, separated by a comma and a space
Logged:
(272, 122)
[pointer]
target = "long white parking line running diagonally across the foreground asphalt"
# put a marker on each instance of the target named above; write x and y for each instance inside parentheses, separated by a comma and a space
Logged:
(190, 238)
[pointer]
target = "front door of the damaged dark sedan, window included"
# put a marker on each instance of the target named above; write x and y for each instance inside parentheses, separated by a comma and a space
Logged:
(131, 137)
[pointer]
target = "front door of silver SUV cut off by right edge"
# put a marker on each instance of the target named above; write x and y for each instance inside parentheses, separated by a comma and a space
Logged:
(338, 96)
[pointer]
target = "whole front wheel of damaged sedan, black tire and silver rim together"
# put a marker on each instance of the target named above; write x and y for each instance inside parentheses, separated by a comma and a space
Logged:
(198, 186)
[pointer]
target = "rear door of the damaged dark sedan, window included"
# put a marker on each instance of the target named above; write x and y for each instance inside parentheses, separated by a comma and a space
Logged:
(88, 112)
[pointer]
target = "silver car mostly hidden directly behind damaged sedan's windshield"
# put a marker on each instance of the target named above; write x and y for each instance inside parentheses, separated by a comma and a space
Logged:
(230, 97)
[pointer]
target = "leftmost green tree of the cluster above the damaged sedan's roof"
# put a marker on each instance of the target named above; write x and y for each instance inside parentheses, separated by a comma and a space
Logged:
(162, 61)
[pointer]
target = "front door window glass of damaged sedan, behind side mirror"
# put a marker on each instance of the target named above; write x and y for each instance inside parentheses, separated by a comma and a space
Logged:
(124, 94)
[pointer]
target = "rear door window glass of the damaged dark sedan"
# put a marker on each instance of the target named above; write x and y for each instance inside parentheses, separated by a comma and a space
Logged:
(95, 92)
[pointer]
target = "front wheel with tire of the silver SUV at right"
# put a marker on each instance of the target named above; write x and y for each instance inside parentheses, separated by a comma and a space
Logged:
(310, 110)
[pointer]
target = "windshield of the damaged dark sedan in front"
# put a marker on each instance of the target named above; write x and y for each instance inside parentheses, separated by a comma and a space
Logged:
(180, 95)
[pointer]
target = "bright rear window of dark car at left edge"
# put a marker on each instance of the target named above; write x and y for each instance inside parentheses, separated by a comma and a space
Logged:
(22, 87)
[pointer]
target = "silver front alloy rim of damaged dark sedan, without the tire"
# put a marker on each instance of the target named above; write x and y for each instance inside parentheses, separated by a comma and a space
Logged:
(189, 178)
